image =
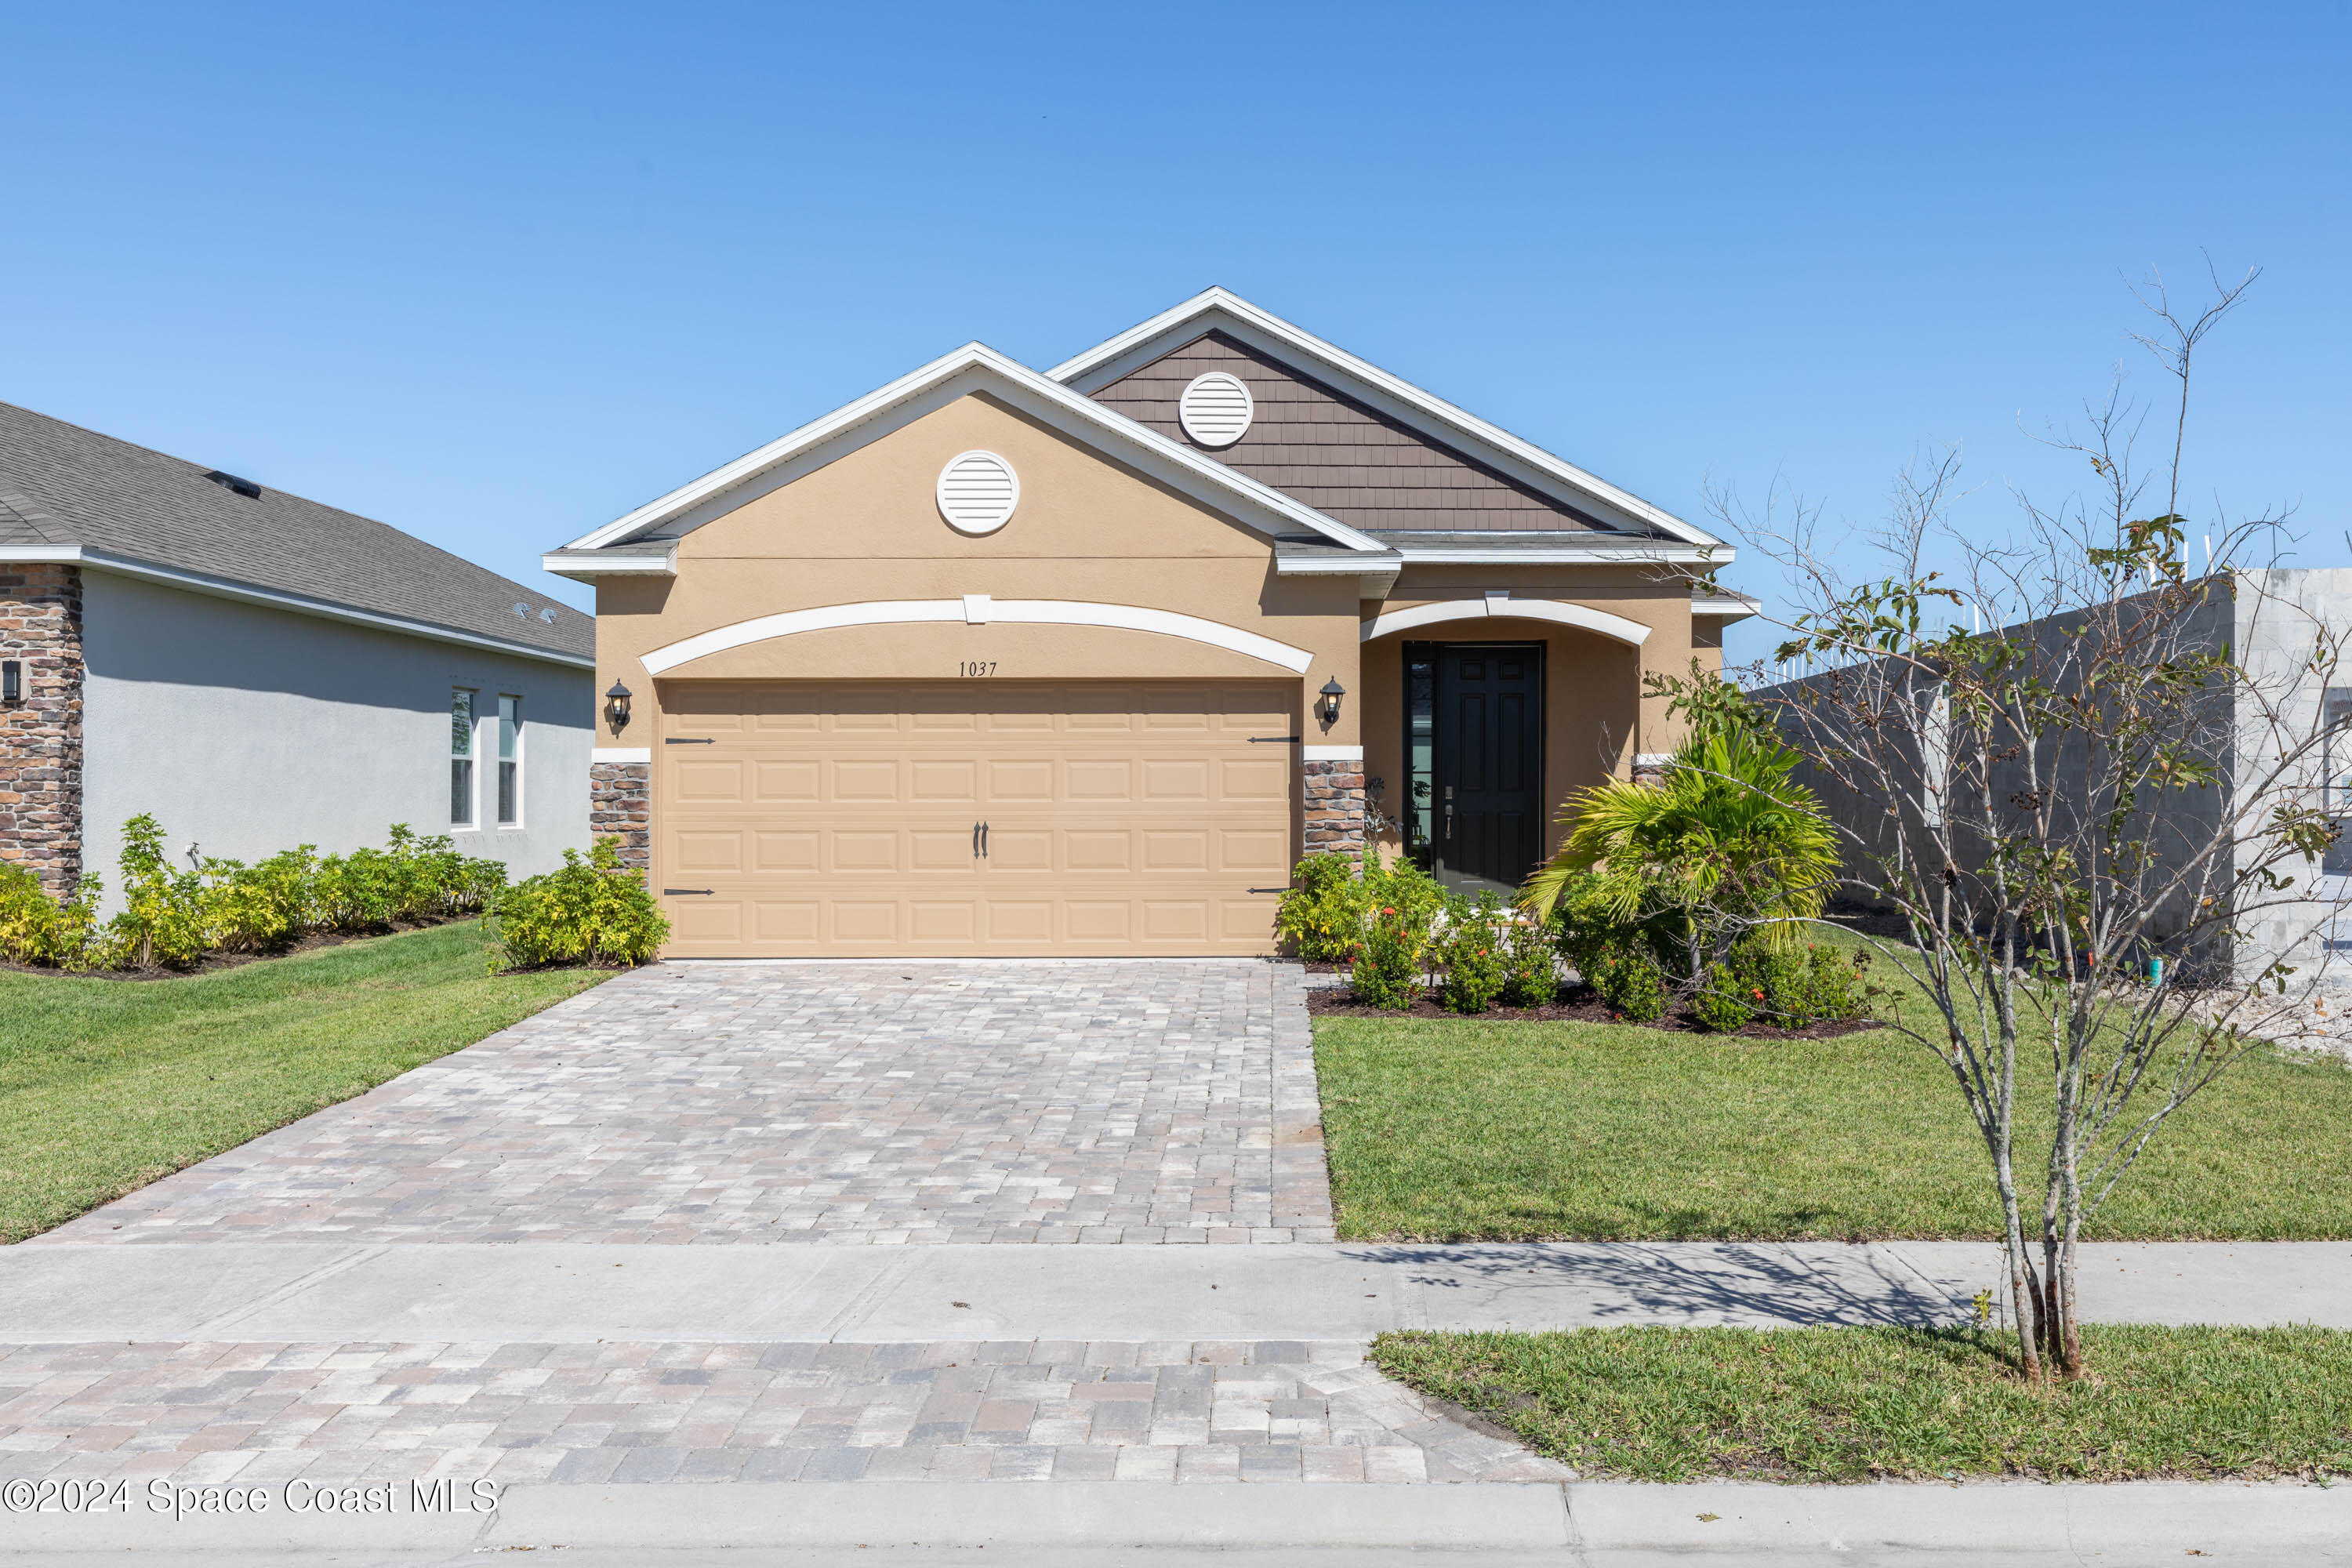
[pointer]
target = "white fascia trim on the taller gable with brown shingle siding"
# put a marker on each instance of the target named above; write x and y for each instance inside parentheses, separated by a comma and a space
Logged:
(1109, 361)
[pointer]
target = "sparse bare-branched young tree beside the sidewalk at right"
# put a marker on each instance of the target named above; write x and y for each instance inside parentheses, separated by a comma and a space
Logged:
(2083, 791)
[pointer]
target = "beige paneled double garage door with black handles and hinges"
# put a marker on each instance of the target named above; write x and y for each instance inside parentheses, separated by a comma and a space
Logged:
(973, 819)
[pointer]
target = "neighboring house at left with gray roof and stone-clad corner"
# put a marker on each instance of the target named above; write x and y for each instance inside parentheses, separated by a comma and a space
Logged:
(265, 671)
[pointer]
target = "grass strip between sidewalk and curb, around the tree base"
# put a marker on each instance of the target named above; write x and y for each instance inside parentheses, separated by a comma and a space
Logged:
(1916, 1405)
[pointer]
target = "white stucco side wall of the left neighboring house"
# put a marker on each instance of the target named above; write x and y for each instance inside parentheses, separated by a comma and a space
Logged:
(250, 730)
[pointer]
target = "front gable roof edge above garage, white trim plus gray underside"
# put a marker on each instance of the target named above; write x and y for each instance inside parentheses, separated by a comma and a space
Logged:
(968, 370)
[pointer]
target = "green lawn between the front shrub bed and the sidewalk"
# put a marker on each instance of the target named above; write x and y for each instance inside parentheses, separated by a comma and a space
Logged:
(1464, 1130)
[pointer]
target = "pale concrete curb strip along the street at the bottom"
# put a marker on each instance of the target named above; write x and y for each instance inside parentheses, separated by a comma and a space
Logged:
(1577, 1522)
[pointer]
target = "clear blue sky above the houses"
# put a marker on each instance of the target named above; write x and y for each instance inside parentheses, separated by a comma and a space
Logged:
(497, 274)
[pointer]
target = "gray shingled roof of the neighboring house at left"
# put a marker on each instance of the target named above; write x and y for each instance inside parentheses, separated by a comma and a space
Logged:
(72, 495)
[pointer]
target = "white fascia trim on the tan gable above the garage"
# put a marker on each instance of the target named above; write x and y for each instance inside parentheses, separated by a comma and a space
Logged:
(1078, 413)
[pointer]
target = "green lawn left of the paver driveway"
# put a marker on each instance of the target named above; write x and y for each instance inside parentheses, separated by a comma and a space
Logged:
(107, 1085)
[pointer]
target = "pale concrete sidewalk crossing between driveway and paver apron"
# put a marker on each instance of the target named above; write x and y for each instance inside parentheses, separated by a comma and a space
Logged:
(290, 1292)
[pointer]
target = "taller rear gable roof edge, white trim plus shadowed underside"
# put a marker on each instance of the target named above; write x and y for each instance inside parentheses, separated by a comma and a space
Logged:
(1382, 391)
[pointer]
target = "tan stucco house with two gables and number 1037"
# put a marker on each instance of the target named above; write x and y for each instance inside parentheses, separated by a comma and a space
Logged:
(998, 662)
